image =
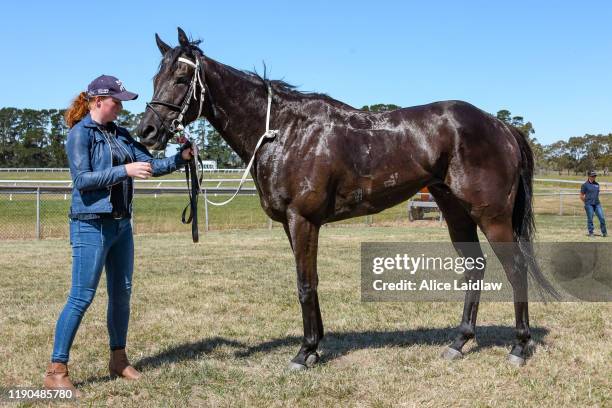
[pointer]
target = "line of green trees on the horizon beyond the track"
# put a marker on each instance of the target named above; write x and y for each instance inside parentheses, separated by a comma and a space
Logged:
(36, 138)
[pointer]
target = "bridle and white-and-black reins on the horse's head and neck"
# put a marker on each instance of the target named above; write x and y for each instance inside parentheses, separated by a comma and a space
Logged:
(177, 130)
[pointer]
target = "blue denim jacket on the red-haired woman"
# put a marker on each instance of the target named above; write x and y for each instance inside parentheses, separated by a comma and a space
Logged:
(91, 169)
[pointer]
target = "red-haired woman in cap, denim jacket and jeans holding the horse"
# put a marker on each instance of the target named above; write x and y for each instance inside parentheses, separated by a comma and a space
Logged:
(103, 161)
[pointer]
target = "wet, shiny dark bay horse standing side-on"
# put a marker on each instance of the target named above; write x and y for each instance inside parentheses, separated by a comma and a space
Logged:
(330, 162)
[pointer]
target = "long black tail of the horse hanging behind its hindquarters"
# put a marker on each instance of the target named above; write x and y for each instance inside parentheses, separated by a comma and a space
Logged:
(523, 220)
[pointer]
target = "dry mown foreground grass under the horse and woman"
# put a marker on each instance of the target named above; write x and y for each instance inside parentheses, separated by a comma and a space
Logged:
(215, 324)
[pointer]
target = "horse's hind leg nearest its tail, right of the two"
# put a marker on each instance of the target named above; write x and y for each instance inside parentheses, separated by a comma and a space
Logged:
(500, 235)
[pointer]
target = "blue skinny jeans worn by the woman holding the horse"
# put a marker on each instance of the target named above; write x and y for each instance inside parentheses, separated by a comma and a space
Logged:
(96, 244)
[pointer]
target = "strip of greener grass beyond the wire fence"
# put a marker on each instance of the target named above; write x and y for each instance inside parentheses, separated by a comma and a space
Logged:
(162, 214)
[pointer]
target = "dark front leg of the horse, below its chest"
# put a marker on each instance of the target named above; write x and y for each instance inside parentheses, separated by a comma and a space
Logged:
(303, 236)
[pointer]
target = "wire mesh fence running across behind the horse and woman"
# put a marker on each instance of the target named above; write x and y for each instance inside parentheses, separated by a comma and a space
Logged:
(40, 212)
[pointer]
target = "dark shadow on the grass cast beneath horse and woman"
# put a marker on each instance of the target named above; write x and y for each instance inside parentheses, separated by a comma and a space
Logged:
(335, 345)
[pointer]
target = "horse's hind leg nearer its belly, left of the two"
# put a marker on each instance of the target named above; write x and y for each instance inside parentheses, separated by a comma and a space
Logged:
(464, 234)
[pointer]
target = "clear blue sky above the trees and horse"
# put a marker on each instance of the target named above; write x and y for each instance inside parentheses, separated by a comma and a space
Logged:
(550, 62)
